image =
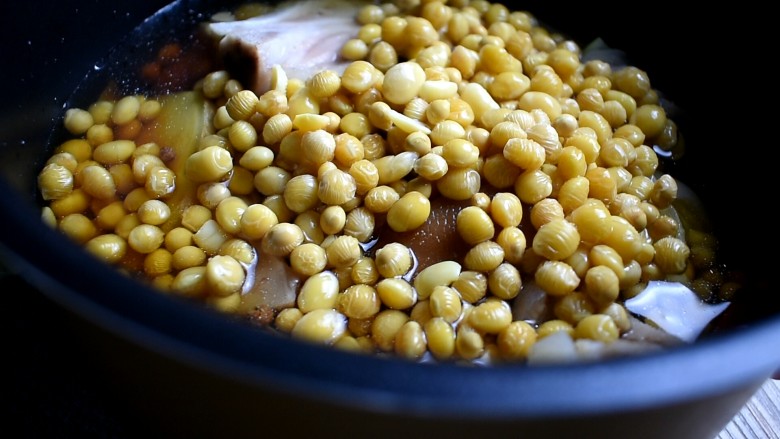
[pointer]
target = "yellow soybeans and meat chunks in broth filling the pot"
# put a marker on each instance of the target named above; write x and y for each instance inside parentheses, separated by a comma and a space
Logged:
(438, 181)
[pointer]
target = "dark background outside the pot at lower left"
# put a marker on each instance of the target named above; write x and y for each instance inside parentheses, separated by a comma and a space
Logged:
(52, 385)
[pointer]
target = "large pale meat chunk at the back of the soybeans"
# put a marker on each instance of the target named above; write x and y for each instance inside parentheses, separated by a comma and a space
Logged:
(303, 37)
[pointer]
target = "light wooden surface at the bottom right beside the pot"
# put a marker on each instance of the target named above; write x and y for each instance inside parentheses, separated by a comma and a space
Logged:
(760, 418)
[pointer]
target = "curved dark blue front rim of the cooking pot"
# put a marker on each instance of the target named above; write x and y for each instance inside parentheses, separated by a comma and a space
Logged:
(207, 340)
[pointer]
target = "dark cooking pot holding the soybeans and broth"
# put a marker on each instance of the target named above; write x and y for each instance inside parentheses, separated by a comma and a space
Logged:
(184, 370)
